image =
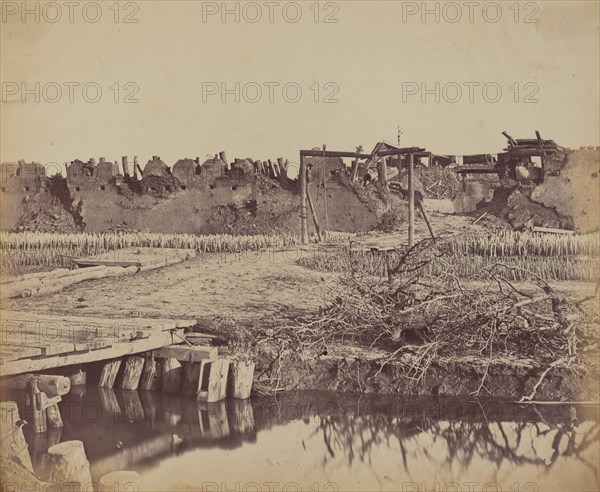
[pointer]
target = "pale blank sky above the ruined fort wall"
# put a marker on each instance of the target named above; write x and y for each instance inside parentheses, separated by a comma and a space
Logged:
(367, 58)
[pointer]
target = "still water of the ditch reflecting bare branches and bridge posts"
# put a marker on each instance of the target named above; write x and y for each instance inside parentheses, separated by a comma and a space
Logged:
(328, 441)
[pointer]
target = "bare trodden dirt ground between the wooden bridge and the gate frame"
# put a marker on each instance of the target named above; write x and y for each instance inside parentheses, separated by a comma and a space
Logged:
(252, 285)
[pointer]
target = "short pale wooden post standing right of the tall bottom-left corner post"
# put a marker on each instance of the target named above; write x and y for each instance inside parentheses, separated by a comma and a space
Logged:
(68, 463)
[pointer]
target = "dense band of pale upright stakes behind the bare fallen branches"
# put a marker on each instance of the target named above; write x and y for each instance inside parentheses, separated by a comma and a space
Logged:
(522, 255)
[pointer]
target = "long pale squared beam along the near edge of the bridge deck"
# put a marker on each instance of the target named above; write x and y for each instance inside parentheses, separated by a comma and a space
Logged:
(154, 341)
